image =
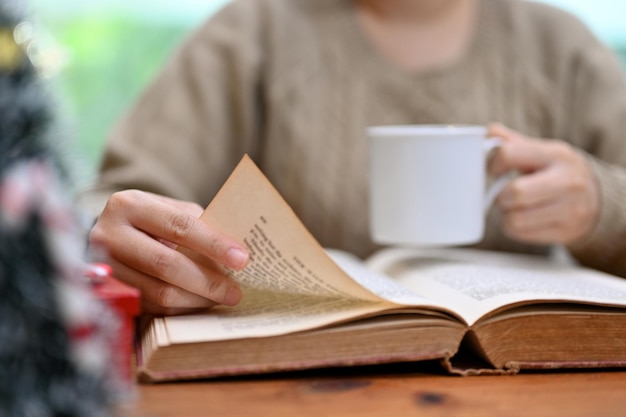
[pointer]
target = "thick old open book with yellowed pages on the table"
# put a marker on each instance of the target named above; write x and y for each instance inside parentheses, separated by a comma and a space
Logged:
(306, 307)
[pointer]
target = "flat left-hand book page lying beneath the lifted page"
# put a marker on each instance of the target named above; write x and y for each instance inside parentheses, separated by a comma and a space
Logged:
(269, 312)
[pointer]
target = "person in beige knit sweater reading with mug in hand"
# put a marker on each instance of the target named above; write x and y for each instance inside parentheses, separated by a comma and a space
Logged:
(294, 83)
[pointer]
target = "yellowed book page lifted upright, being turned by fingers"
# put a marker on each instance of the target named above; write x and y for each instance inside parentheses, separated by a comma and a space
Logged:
(285, 257)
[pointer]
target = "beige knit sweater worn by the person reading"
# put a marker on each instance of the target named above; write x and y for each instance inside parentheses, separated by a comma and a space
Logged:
(294, 83)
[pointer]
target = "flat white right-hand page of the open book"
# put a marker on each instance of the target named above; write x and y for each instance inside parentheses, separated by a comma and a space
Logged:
(475, 282)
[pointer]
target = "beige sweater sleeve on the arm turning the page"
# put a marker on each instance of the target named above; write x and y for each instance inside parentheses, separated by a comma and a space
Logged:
(192, 125)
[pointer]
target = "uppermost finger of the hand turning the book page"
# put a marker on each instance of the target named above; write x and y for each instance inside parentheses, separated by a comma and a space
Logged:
(157, 218)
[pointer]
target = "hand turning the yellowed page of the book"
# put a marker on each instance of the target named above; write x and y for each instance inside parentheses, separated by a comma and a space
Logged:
(140, 232)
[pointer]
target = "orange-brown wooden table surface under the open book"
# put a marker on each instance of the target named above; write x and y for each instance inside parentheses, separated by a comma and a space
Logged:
(387, 393)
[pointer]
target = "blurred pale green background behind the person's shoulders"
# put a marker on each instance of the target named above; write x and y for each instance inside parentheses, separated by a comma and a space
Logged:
(101, 53)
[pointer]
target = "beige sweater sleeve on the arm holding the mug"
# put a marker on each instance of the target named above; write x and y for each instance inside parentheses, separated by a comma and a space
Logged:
(597, 121)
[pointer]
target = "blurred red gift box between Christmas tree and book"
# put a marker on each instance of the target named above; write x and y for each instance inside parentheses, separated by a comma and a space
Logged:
(125, 302)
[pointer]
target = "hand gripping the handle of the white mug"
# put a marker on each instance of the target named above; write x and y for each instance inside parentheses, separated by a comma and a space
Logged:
(555, 200)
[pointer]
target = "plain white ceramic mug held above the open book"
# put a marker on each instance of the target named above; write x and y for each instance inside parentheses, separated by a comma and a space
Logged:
(428, 184)
